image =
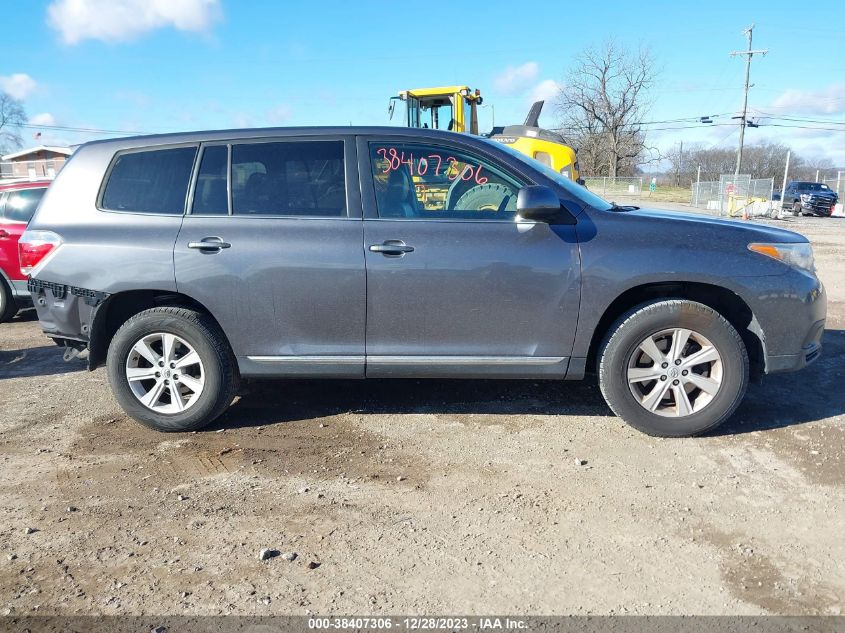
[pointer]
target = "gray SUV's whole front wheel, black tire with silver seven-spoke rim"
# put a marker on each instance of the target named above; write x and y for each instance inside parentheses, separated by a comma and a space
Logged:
(673, 368)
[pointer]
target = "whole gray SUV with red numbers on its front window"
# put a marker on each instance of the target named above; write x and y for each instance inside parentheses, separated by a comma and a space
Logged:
(186, 263)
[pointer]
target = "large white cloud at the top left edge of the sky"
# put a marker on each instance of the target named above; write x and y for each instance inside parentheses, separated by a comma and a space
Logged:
(120, 20)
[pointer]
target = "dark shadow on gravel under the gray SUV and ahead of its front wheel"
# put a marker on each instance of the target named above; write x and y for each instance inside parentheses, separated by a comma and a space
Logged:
(780, 401)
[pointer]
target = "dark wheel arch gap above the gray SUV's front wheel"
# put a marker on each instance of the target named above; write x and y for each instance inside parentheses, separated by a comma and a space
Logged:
(724, 301)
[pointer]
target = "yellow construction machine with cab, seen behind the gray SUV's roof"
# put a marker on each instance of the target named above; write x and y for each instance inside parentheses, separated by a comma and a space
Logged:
(455, 108)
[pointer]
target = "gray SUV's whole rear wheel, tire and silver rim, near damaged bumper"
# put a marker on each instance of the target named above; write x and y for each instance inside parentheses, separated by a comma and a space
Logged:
(171, 369)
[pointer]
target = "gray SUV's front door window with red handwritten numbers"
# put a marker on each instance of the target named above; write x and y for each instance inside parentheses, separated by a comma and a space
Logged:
(418, 181)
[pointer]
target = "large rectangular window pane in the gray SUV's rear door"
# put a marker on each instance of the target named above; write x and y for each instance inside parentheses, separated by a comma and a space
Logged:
(299, 178)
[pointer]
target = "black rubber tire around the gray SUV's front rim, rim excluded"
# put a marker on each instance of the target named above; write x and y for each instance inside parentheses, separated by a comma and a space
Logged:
(645, 320)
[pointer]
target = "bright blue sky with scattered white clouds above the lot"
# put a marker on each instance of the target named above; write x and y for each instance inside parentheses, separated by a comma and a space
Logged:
(170, 65)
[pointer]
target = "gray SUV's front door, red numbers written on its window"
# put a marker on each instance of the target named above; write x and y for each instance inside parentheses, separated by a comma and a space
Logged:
(457, 285)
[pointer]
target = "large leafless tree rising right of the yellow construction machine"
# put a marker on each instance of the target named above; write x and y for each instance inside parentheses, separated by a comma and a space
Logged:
(602, 106)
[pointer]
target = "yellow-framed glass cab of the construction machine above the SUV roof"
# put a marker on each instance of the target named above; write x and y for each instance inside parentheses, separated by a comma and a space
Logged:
(450, 108)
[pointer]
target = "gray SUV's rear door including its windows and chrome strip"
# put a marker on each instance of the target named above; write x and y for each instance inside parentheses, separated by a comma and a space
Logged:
(272, 247)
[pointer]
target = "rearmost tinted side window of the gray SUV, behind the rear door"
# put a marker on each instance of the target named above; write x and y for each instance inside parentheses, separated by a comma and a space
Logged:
(154, 181)
